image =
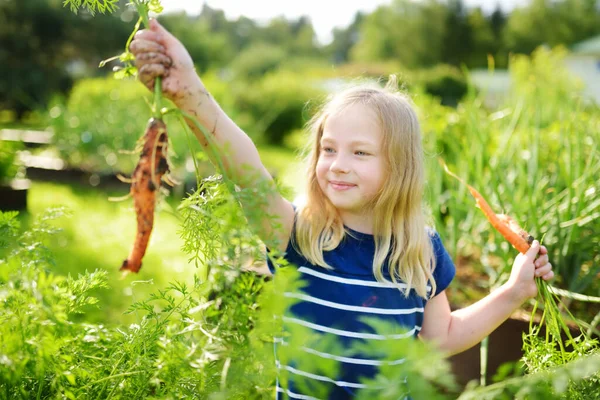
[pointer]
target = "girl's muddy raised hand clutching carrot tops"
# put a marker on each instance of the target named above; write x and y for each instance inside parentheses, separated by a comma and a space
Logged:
(158, 53)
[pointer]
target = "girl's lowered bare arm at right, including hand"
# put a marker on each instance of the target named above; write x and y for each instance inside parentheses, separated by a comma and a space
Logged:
(460, 330)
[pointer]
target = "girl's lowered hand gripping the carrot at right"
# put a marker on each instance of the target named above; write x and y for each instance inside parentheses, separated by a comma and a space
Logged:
(526, 267)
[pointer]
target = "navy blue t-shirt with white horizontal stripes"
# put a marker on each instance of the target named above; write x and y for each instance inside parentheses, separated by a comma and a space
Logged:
(334, 301)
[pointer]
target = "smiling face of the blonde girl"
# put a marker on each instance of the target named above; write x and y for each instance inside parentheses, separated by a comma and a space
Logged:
(350, 167)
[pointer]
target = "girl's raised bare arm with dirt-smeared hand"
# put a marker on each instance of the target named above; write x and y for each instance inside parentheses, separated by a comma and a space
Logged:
(159, 53)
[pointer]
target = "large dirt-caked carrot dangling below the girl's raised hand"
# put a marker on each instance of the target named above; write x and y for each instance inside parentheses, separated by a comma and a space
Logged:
(150, 170)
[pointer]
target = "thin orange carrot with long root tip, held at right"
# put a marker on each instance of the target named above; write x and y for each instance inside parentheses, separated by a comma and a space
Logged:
(507, 227)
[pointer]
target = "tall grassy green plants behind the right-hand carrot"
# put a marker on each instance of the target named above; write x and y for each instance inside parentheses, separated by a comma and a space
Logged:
(540, 149)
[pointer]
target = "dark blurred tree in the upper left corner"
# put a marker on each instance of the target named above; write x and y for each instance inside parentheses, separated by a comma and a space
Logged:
(41, 43)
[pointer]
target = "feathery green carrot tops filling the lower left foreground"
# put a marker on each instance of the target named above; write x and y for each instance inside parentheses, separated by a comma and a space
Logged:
(200, 329)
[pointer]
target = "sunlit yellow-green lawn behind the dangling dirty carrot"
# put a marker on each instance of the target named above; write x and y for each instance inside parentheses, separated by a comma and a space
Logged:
(99, 234)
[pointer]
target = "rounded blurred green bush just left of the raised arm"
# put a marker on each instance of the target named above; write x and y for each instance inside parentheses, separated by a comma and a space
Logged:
(104, 117)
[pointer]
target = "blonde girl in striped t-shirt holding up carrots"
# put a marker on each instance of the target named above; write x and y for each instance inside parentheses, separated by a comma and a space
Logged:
(360, 242)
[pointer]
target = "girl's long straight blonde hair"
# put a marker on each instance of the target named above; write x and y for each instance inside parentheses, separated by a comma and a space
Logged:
(399, 228)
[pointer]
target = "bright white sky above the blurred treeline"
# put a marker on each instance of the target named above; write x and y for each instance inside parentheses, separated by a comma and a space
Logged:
(325, 14)
